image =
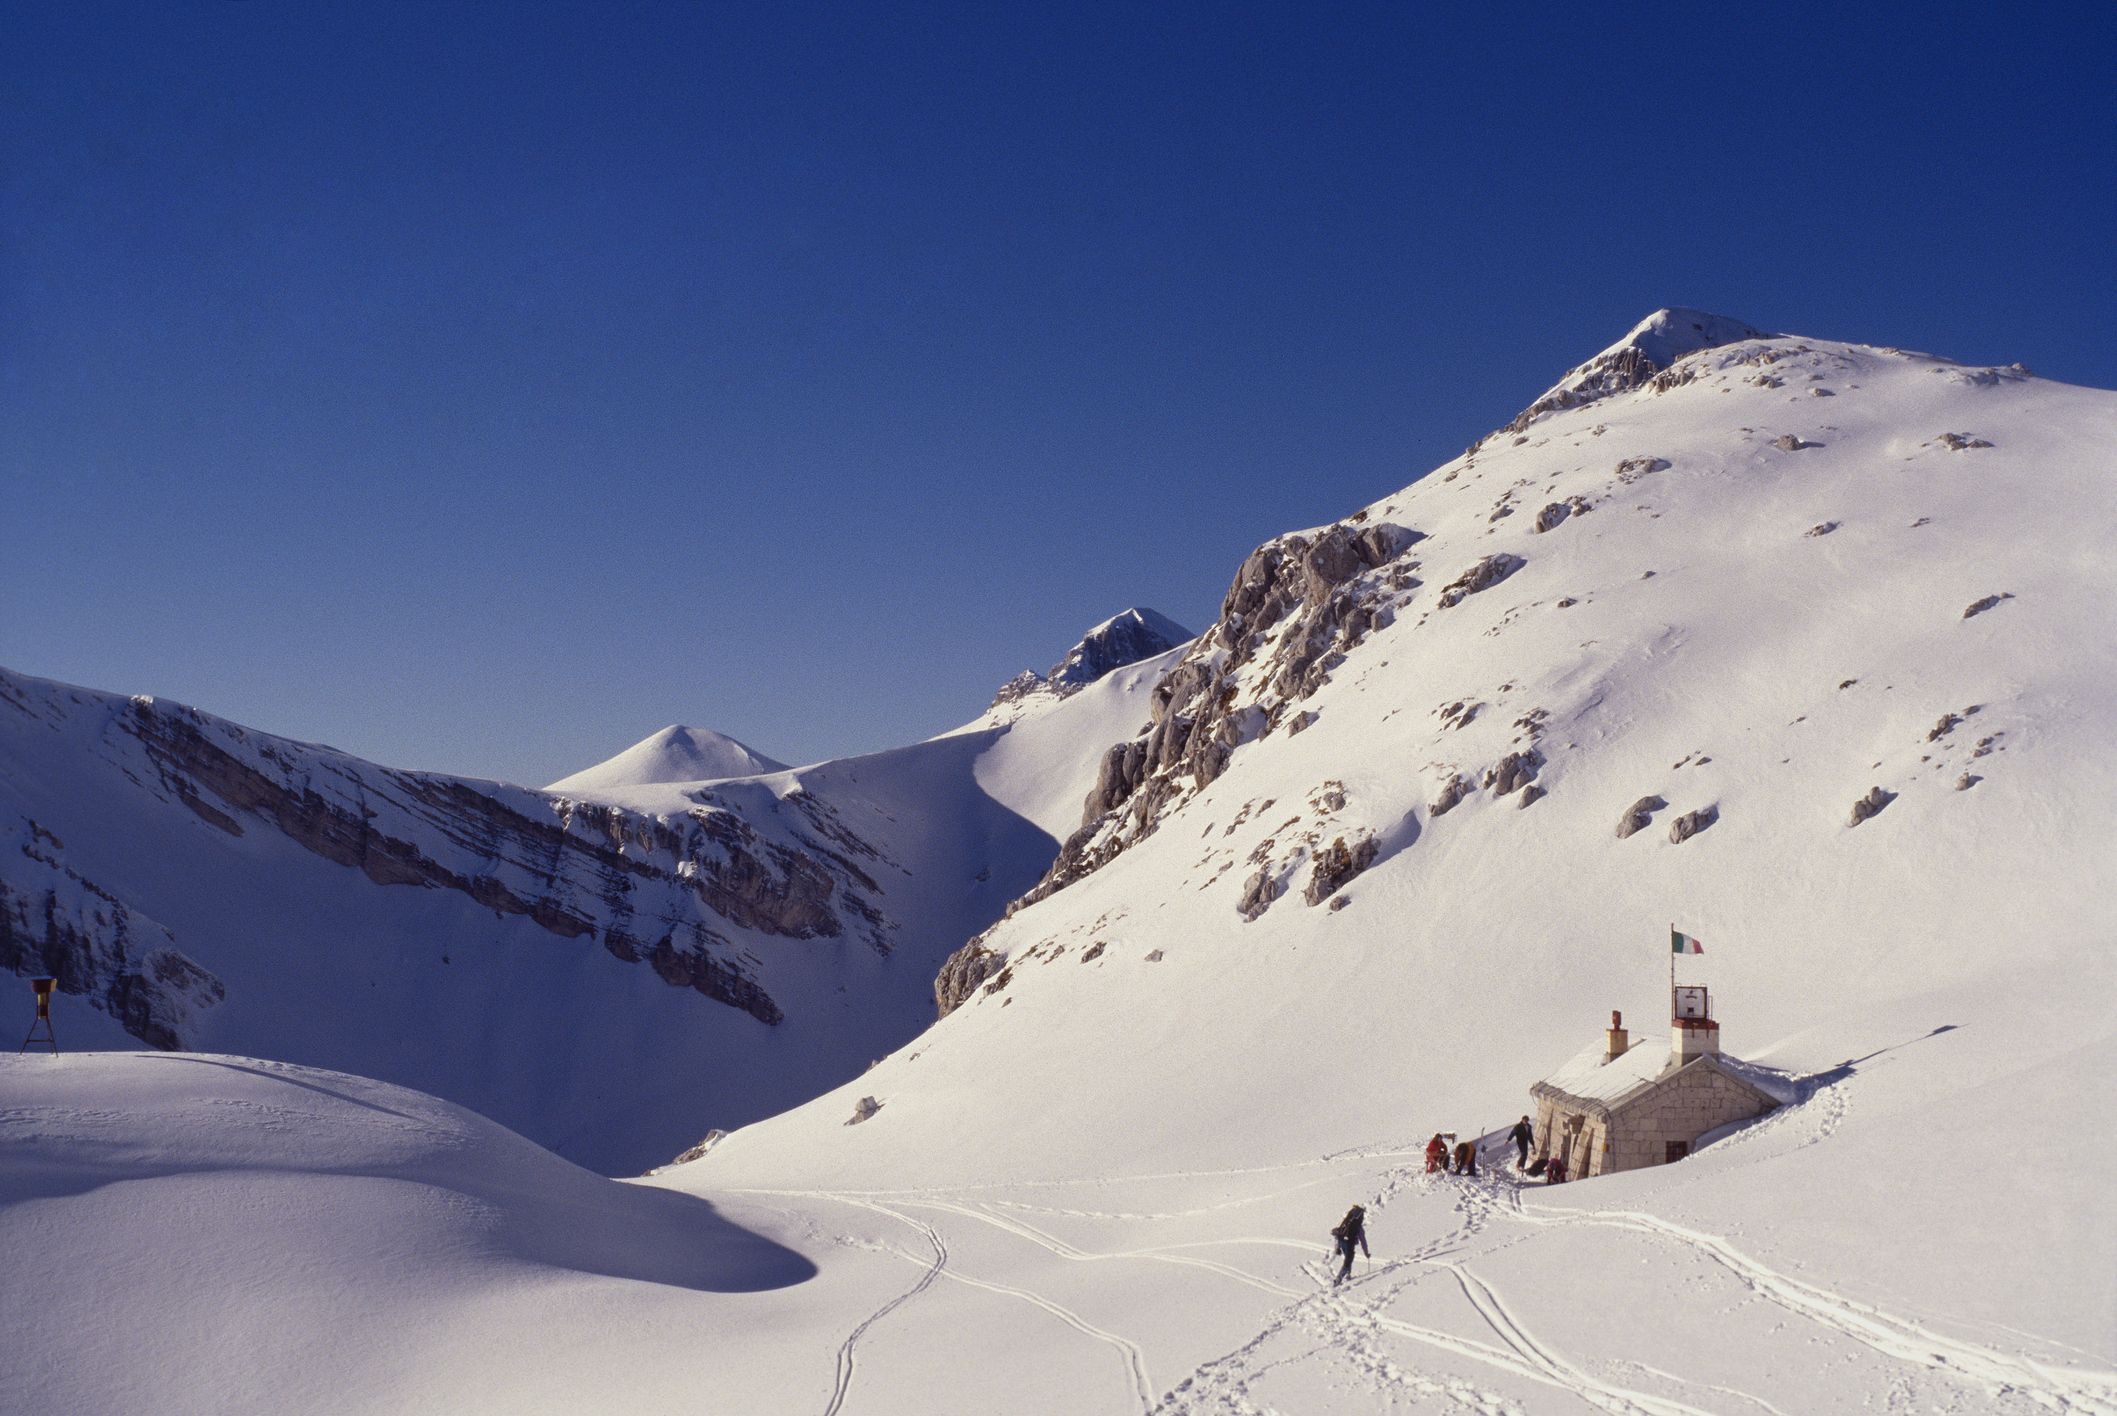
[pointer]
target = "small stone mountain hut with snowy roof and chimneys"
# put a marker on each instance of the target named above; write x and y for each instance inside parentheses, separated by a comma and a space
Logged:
(1623, 1106)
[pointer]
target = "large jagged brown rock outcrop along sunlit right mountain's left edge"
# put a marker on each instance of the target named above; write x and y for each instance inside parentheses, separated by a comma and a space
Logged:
(1297, 606)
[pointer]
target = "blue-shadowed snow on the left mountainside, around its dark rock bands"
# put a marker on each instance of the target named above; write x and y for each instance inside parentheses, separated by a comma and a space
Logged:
(596, 1057)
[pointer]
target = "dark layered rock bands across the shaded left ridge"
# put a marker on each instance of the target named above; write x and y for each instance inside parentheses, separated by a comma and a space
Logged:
(649, 888)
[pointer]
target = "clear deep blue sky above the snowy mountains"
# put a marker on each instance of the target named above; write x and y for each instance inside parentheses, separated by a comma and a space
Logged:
(482, 388)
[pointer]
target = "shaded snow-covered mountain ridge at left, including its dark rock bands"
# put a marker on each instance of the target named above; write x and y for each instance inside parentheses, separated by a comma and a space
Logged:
(609, 966)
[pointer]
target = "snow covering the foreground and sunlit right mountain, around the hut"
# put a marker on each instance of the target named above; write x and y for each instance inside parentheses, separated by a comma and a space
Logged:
(1104, 1184)
